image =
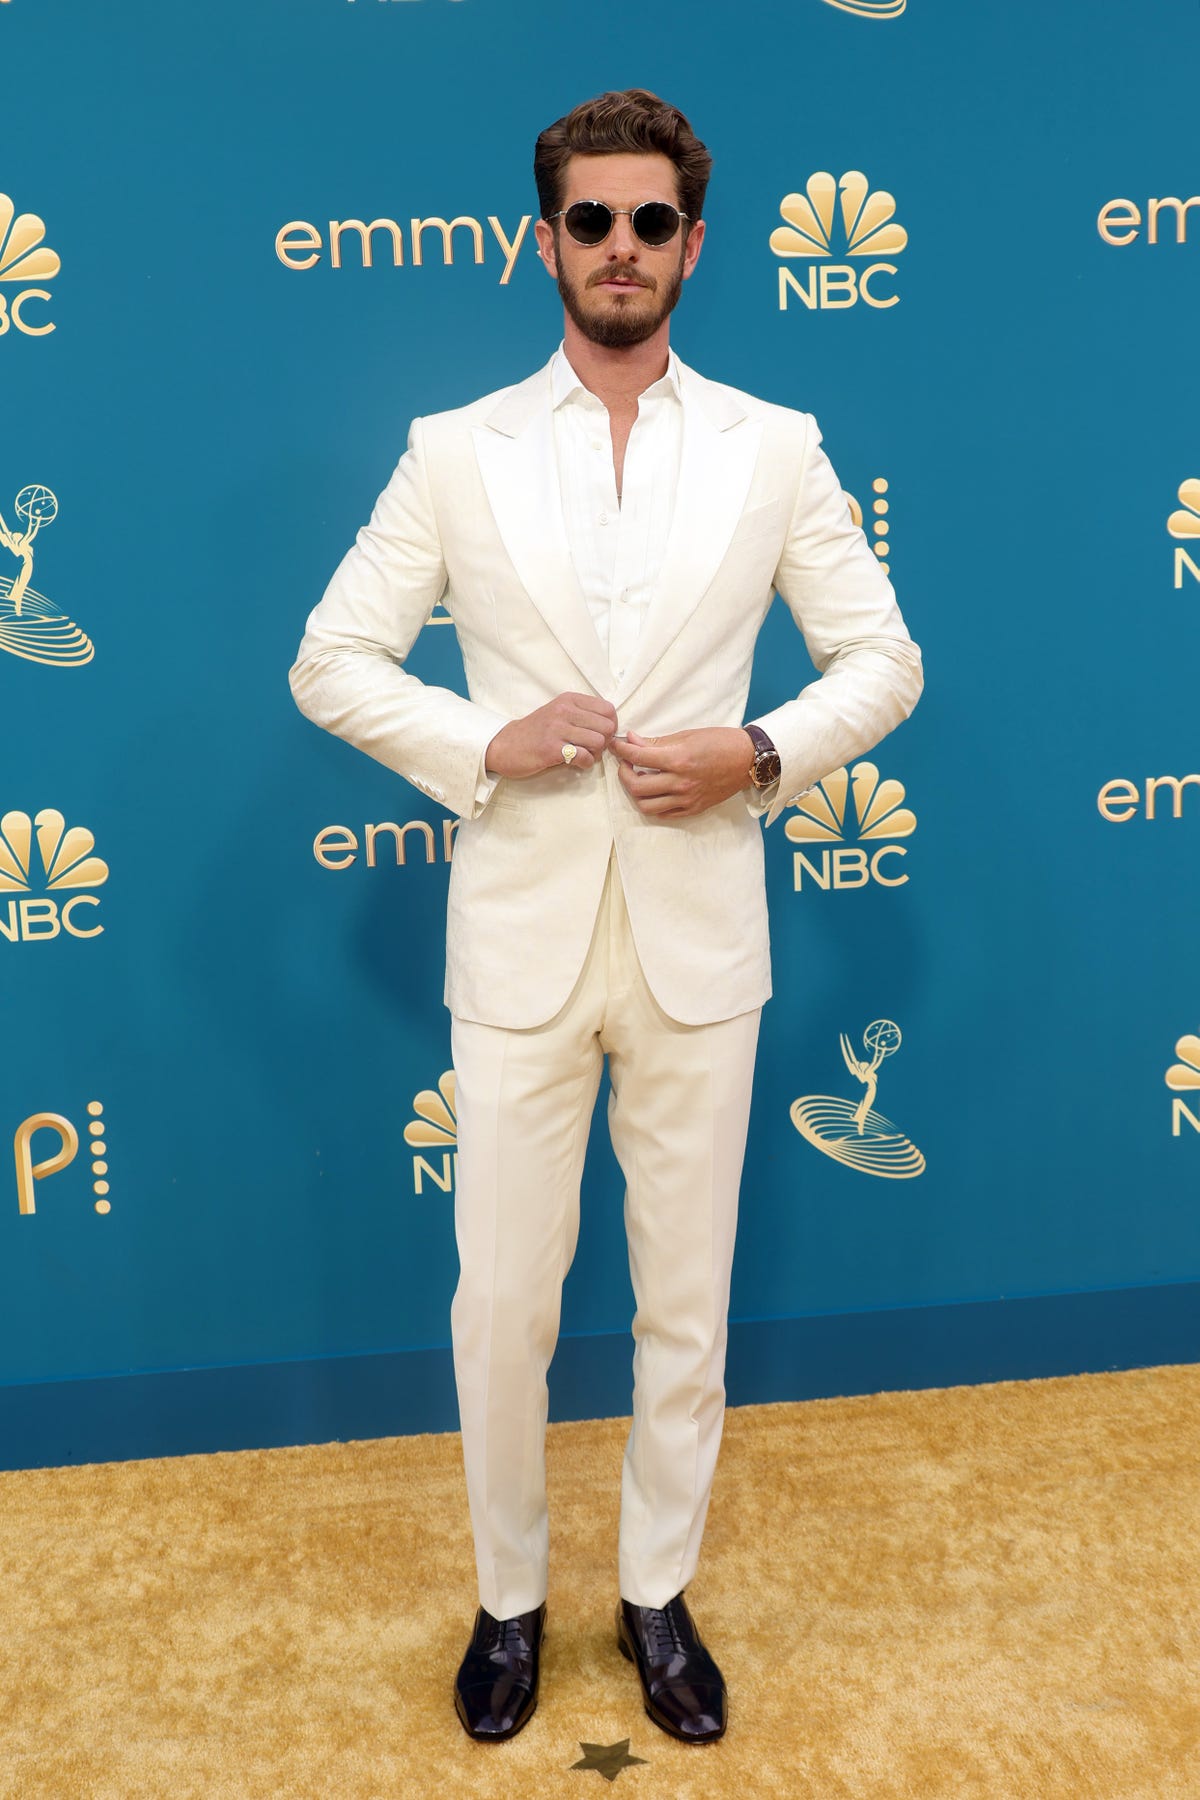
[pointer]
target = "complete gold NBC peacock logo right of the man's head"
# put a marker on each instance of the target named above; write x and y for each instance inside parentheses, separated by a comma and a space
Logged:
(839, 217)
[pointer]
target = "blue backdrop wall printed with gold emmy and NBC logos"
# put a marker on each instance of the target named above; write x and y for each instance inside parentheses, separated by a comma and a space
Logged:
(240, 249)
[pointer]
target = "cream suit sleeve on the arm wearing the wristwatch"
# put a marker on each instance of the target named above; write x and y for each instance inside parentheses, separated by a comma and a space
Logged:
(855, 636)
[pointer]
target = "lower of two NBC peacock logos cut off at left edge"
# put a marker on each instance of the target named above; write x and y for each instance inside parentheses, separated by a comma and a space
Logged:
(64, 863)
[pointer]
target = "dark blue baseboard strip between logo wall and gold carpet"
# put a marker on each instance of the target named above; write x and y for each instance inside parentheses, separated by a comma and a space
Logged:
(265, 1405)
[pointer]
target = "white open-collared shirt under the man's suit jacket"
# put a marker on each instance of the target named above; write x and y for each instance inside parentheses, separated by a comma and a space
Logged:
(618, 543)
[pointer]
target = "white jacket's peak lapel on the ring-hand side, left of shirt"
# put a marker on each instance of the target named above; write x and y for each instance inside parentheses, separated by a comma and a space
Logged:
(519, 469)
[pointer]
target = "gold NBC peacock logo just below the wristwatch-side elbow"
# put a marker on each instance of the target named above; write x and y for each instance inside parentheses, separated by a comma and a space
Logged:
(850, 805)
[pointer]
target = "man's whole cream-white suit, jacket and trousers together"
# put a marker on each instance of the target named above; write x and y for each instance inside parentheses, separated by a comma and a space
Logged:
(539, 930)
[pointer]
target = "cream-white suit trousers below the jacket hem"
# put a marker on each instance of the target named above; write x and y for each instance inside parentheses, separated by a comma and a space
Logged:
(677, 1117)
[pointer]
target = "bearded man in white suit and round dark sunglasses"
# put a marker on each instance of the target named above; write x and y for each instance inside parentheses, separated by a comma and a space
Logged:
(607, 535)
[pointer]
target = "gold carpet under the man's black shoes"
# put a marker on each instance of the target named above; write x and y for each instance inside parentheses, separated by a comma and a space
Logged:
(974, 1592)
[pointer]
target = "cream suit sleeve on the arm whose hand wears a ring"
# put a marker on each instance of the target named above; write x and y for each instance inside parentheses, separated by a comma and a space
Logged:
(350, 674)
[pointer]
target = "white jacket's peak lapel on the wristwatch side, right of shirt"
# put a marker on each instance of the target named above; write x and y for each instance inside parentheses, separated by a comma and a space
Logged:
(717, 465)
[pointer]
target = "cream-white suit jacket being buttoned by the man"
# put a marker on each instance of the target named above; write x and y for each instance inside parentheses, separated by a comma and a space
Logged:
(472, 516)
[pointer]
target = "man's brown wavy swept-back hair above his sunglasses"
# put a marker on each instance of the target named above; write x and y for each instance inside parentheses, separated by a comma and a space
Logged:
(623, 121)
